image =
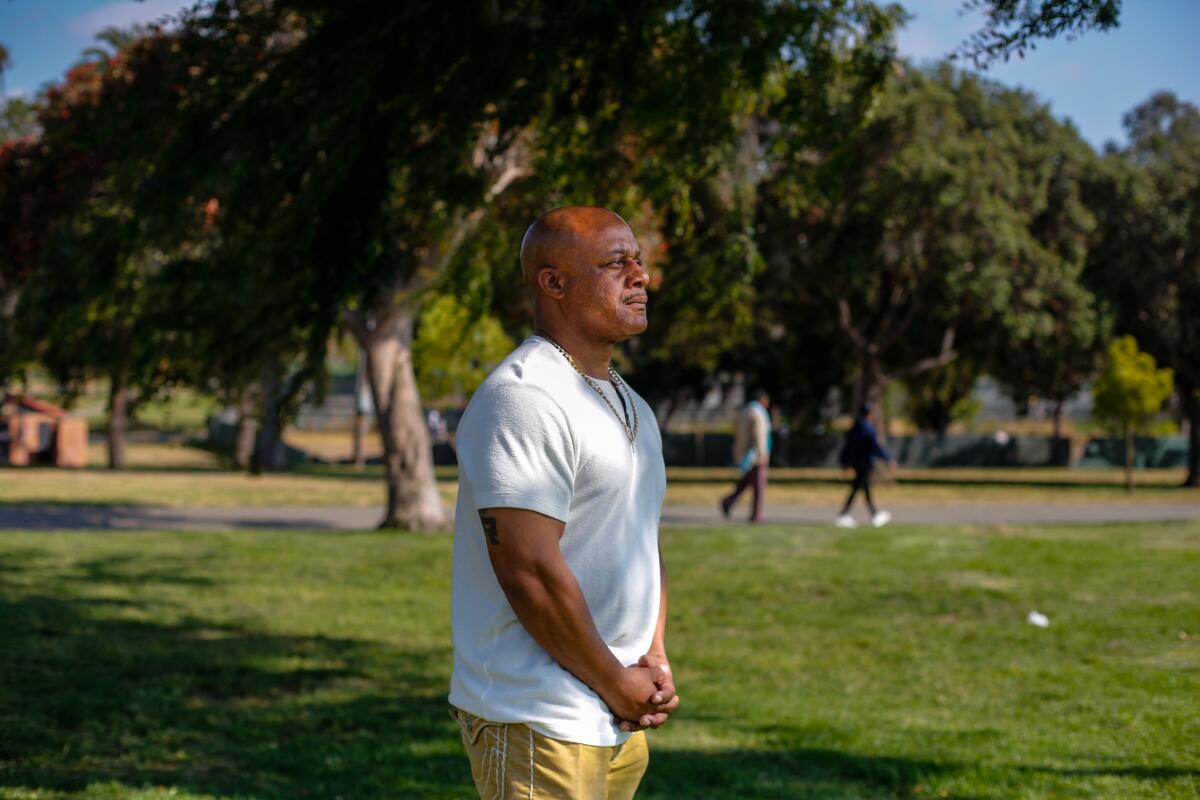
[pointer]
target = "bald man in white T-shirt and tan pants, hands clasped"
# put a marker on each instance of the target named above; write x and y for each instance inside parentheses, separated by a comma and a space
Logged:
(559, 599)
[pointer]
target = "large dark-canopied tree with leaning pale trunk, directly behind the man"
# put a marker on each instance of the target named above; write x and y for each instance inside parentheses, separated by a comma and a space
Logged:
(304, 166)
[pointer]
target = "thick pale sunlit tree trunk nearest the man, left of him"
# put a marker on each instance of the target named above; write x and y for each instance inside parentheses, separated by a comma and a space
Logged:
(413, 501)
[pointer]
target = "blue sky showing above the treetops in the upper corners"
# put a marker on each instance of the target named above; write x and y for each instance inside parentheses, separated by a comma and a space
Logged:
(1093, 81)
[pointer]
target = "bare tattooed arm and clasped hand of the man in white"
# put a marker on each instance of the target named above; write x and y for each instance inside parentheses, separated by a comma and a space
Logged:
(524, 548)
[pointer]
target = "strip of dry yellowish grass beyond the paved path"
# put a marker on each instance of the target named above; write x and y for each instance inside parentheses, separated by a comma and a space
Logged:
(183, 477)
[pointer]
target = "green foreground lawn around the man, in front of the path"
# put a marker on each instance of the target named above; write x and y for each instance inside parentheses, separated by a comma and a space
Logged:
(813, 664)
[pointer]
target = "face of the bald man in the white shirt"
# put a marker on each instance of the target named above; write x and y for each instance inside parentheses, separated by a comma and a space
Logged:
(607, 284)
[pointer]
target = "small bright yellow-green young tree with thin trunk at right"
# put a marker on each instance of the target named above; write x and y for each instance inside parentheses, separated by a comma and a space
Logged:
(1129, 393)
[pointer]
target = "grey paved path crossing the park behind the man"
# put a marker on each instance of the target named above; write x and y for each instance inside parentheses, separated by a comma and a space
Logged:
(117, 518)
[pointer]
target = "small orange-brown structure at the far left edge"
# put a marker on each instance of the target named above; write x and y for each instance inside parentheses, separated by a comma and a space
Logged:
(34, 432)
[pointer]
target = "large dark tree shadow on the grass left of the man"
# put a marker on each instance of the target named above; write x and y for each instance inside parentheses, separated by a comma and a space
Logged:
(98, 691)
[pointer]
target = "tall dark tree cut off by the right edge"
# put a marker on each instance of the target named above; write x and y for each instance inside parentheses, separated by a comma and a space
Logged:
(1145, 257)
